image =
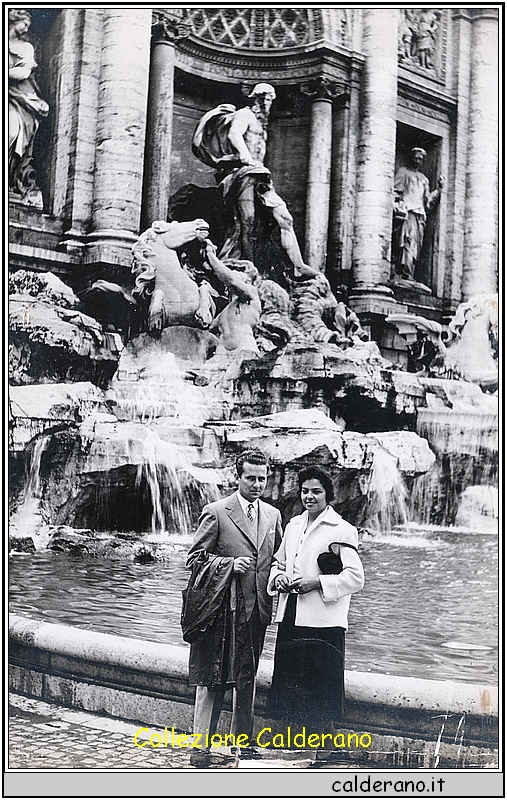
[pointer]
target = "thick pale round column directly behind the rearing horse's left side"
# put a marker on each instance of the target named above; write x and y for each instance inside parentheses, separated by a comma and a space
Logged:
(121, 128)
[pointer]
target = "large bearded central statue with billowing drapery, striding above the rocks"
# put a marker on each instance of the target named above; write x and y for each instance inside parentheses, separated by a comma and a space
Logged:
(234, 143)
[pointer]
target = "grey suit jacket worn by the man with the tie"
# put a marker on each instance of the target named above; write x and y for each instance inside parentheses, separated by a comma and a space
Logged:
(224, 531)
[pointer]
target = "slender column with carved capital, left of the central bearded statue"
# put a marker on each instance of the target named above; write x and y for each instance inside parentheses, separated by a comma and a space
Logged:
(166, 32)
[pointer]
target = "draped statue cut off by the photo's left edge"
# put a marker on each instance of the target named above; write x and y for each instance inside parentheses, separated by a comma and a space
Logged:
(26, 109)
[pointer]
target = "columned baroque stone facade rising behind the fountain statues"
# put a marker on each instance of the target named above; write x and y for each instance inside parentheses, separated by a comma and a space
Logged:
(357, 89)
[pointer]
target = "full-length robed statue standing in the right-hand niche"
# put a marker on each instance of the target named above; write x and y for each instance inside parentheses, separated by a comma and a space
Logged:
(412, 202)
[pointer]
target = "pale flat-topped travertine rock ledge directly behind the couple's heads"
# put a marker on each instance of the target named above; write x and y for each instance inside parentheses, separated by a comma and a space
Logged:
(367, 474)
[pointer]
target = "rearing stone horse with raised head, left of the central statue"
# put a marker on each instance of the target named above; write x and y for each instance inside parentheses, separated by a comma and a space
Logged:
(173, 294)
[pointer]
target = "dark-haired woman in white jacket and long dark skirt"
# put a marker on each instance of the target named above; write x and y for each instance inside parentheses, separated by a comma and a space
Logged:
(308, 677)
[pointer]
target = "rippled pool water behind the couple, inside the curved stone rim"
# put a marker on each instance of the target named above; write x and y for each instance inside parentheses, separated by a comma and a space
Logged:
(424, 591)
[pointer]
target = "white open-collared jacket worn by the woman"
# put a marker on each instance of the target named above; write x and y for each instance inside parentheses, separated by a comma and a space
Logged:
(327, 608)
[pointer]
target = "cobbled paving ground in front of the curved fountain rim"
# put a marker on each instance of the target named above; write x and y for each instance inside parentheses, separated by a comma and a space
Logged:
(48, 736)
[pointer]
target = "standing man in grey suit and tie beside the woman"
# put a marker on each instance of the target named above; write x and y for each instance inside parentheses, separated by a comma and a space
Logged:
(248, 530)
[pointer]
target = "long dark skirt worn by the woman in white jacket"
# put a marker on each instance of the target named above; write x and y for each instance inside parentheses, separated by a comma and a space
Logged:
(308, 678)
